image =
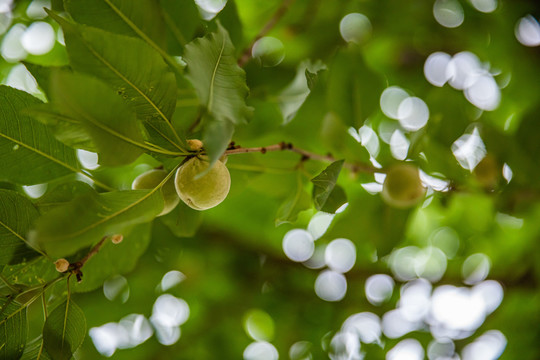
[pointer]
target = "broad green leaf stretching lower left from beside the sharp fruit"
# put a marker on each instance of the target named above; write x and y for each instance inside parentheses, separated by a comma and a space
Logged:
(85, 220)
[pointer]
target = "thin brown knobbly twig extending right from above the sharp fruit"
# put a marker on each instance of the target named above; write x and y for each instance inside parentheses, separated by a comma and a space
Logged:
(354, 167)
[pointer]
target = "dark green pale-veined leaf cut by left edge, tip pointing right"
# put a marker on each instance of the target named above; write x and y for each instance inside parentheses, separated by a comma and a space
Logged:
(29, 153)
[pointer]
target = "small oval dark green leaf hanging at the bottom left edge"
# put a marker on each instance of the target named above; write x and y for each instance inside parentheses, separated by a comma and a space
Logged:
(64, 330)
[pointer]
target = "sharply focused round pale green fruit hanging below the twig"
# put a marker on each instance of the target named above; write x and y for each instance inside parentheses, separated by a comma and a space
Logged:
(205, 192)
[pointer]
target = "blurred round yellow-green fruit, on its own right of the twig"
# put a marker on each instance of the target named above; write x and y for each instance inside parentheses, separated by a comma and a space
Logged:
(402, 186)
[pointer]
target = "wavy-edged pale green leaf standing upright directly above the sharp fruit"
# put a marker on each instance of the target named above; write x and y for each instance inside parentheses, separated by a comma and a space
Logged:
(220, 84)
